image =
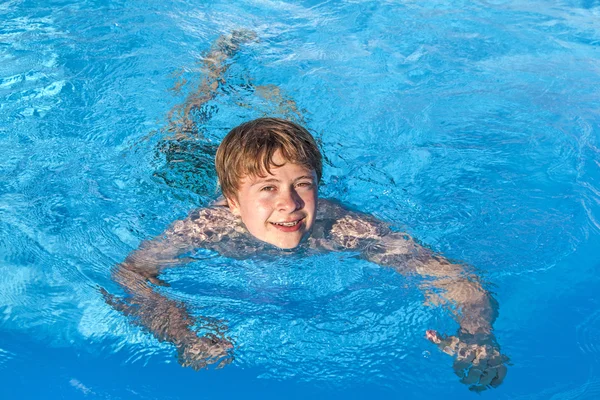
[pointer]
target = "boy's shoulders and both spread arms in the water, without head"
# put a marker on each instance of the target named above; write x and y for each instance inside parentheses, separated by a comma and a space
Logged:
(478, 360)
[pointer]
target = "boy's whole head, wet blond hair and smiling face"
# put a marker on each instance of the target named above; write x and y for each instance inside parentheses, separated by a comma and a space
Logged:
(269, 170)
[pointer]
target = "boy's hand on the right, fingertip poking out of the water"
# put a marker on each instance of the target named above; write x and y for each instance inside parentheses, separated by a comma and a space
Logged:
(479, 365)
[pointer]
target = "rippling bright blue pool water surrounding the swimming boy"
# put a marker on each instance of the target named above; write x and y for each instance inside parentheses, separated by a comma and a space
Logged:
(474, 126)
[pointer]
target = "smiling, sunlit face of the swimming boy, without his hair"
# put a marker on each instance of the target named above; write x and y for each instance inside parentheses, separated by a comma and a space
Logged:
(280, 208)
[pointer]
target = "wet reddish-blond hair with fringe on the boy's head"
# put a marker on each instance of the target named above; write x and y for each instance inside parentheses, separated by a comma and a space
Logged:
(248, 150)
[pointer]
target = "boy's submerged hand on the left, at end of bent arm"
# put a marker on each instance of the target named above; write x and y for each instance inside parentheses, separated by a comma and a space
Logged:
(201, 352)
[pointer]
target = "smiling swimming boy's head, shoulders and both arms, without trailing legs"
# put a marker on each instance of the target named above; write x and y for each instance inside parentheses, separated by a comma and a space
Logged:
(269, 170)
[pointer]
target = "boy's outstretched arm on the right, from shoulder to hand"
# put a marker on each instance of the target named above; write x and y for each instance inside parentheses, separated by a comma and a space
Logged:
(478, 361)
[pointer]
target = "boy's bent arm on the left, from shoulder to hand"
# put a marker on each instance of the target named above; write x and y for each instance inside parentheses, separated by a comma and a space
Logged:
(167, 319)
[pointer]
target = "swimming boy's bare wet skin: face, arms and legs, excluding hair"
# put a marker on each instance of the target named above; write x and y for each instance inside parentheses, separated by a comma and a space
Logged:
(284, 196)
